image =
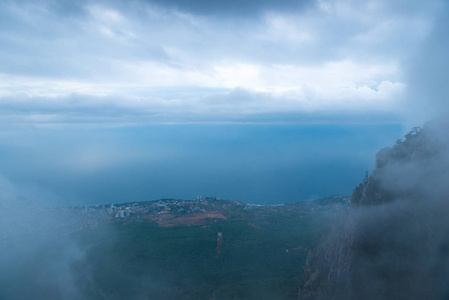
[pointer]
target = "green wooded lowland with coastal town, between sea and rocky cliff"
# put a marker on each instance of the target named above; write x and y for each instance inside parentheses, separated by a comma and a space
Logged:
(206, 248)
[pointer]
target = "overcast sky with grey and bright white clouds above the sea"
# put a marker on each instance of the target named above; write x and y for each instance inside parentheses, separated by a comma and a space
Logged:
(217, 61)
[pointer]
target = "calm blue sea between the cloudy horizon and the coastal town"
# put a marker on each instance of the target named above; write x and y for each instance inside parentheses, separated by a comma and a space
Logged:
(261, 164)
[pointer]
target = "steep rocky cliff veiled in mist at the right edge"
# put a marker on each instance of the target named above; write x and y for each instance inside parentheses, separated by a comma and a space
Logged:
(394, 241)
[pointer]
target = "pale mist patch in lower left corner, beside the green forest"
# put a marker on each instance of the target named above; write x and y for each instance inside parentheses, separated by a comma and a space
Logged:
(36, 254)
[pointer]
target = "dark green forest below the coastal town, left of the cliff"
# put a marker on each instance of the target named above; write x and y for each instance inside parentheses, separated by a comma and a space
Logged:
(261, 258)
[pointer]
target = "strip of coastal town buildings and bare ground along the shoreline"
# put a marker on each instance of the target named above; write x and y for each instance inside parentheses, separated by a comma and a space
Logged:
(197, 212)
